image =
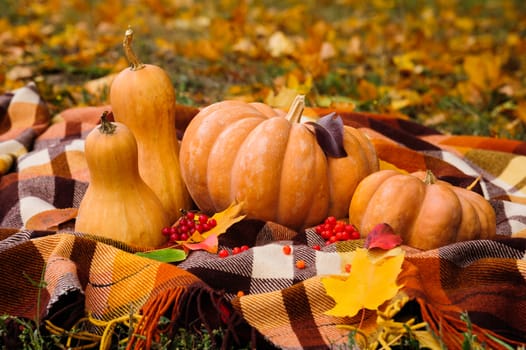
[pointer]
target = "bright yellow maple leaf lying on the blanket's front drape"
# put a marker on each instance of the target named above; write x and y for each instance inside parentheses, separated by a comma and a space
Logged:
(371, 282)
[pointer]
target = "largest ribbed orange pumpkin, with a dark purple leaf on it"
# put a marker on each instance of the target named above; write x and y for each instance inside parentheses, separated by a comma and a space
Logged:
(251, 153)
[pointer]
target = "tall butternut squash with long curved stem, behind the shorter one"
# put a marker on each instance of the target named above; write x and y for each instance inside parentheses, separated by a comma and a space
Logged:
(143, 98)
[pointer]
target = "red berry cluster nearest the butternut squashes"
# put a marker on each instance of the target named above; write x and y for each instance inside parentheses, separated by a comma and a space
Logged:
(187, 224)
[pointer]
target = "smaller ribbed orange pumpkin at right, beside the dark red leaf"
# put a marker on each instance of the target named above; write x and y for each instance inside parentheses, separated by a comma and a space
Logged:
(426, 212)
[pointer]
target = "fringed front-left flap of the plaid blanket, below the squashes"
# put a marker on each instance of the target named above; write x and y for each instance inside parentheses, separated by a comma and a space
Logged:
(103, 279)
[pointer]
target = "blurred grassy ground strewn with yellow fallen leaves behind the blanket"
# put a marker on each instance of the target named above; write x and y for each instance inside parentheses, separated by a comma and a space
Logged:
(456, 65)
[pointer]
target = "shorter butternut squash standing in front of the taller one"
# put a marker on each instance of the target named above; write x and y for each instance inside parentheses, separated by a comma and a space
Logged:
(118, 204)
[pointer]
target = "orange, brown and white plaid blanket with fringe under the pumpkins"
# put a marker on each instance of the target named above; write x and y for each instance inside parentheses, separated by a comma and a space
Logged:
(42, 168)
